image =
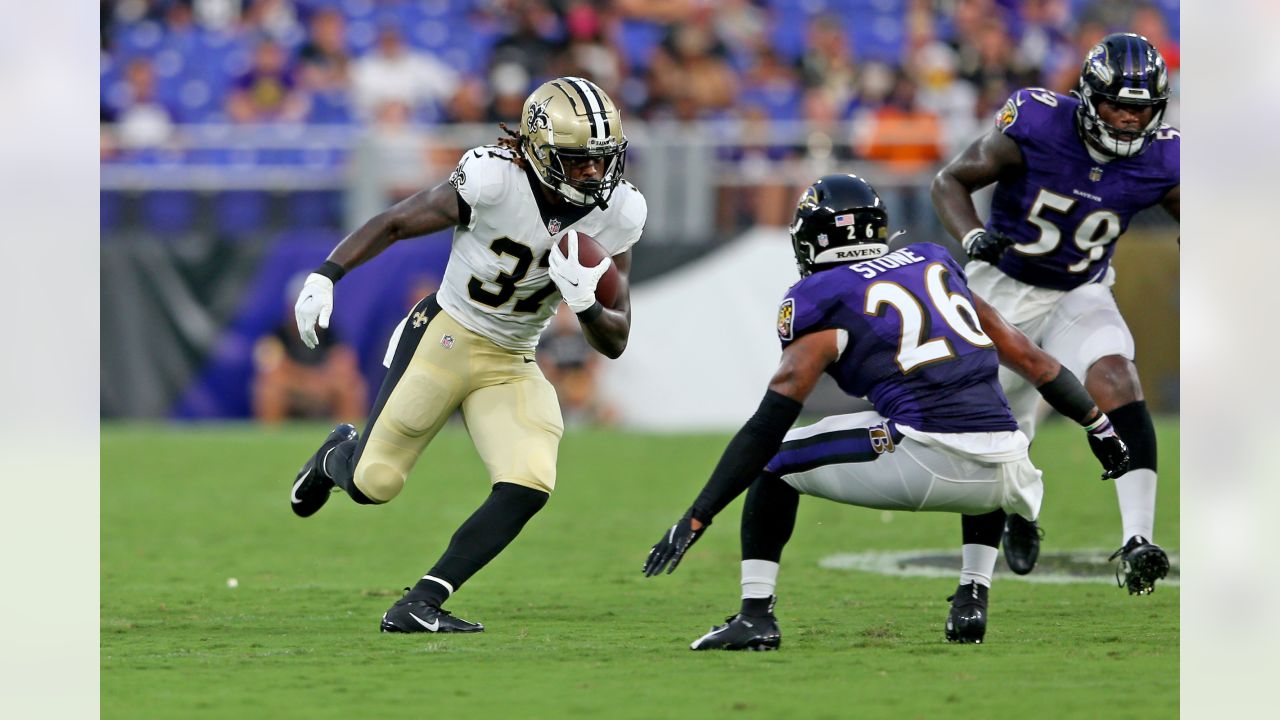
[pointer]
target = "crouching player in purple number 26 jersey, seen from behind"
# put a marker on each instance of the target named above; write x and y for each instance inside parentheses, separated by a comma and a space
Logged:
(902, 330)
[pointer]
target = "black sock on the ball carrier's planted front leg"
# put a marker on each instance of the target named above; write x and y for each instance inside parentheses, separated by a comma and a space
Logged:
(490, 530)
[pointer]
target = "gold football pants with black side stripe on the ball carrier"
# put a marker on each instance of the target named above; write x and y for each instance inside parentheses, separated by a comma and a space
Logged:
(510, 409)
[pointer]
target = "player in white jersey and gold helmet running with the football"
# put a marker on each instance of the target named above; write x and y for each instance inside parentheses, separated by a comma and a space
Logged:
(470, 347)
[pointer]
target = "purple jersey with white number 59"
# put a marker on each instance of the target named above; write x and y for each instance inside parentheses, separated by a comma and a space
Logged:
(1066, 209)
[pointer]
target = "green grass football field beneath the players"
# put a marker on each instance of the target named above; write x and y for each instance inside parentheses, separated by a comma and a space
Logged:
(573, 628)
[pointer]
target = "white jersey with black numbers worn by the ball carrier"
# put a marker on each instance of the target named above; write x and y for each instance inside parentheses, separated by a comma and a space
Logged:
(496, 282)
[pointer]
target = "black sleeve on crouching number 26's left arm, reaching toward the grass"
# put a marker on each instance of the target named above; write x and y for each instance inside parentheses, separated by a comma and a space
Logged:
(747, 454)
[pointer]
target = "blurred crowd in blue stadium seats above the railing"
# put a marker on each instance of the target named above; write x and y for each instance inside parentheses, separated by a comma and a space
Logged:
(941, 67)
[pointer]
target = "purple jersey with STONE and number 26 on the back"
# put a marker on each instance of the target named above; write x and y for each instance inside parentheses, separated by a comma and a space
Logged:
(916, 349)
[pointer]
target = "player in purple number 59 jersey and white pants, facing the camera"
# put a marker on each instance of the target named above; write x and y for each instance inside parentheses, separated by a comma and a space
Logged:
(1071, 172)
